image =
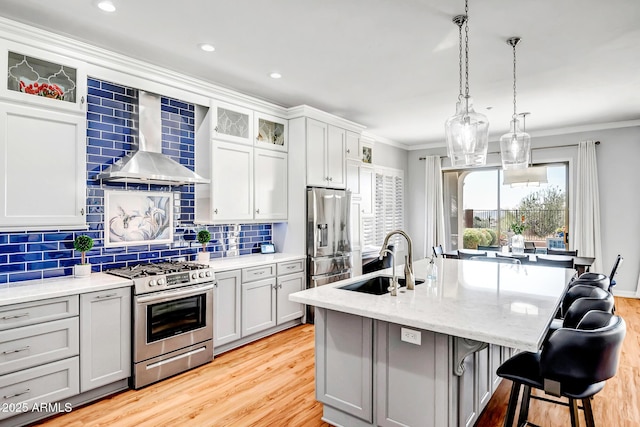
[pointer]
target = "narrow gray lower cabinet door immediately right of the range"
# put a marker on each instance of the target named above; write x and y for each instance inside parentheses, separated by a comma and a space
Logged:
(227, 298)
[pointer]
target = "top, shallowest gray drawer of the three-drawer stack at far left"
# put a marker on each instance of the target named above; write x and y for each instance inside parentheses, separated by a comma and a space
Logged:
(29, 313)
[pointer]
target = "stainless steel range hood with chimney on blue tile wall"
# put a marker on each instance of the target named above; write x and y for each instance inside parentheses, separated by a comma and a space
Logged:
(148, 165)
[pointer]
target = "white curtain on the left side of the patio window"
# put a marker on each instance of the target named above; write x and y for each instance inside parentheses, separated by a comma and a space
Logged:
(433, 209)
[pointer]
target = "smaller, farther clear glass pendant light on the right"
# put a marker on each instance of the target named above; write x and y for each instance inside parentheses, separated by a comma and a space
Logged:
(515, 146)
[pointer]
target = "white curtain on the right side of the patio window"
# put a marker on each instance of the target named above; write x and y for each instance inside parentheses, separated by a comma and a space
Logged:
(586, 233)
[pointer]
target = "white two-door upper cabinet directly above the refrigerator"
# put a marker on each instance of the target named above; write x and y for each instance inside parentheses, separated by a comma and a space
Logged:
(326, 154)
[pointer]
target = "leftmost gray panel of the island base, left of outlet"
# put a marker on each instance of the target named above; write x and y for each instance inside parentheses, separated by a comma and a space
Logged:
(344, 362)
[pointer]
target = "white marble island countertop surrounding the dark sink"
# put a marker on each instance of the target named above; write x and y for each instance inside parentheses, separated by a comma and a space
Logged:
(504, 304)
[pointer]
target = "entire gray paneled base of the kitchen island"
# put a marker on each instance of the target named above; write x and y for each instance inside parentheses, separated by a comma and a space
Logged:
(366, 375)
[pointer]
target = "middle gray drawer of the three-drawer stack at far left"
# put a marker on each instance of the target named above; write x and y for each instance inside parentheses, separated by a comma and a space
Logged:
(35, 345)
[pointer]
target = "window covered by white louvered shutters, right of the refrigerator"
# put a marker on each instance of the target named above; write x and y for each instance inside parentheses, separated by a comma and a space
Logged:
(388, 208)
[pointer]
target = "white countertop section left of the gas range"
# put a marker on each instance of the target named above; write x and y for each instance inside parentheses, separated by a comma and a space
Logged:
(33, 290)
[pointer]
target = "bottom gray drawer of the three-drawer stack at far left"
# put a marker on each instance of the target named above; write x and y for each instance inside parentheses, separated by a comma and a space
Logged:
(43, 384)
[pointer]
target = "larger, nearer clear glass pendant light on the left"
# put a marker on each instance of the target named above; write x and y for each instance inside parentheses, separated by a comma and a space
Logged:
(467, 132)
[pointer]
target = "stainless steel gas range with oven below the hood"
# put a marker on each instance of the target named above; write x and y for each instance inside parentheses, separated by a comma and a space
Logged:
(172, 318)
